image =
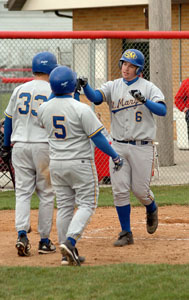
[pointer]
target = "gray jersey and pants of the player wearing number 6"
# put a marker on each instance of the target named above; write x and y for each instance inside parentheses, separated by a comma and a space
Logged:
(132, 120)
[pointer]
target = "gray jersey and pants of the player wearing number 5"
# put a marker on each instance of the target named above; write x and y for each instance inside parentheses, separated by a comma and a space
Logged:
(70, 124)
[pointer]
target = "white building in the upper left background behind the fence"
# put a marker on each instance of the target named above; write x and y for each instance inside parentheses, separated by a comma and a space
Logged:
(19, 53)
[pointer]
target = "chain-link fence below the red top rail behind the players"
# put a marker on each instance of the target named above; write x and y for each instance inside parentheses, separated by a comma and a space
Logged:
(97, 59)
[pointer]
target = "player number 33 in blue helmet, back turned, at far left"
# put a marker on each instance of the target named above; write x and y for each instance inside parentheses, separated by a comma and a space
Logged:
(30, 154)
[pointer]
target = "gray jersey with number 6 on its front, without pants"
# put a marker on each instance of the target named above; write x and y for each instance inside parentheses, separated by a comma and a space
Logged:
(130, 120)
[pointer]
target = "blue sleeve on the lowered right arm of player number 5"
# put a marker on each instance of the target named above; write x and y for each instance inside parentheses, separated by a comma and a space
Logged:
(102, 143)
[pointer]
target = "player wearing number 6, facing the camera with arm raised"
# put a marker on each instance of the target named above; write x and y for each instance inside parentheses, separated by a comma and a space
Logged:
(132, 102)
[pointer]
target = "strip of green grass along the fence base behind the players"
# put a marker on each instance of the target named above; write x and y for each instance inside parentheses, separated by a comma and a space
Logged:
(164, 195)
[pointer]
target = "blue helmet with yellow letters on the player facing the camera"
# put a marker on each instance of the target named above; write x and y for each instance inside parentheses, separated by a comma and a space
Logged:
(135, 57)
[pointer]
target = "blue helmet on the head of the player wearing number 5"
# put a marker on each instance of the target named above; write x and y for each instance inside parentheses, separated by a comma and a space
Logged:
(63, 80)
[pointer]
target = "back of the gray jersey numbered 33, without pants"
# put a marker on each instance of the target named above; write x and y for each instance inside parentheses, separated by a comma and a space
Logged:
(23, 108)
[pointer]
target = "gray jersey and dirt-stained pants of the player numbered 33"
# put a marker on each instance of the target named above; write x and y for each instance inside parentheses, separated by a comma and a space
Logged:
(30, 155)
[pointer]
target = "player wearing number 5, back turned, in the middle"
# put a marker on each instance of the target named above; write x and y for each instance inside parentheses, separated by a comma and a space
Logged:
(70, 125)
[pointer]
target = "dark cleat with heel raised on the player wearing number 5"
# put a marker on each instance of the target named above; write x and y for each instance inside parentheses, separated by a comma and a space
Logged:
(71, 253)
